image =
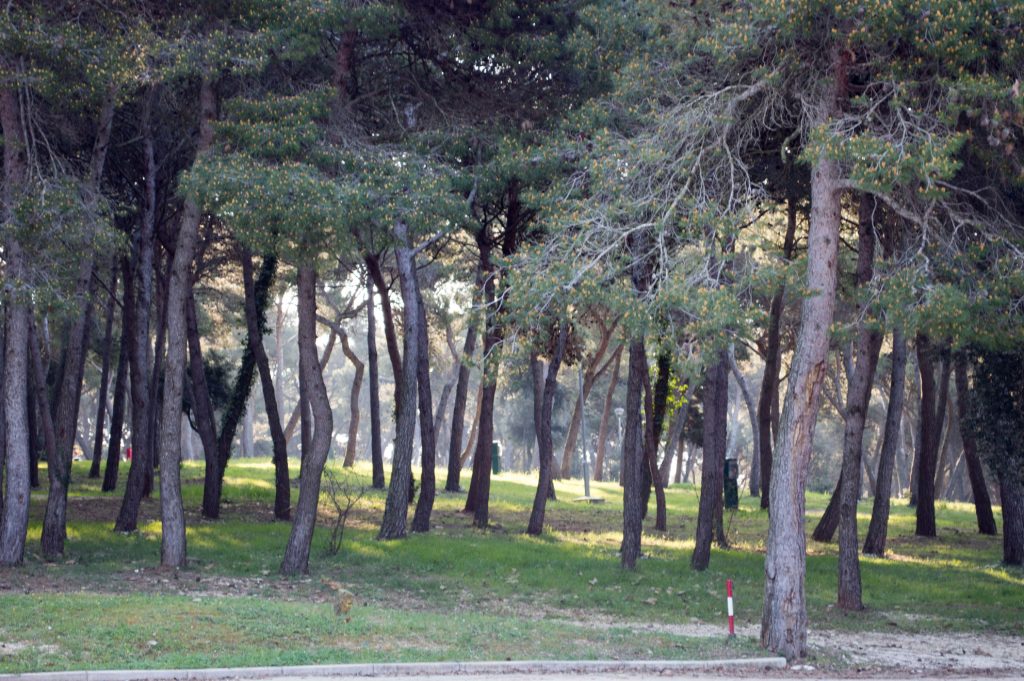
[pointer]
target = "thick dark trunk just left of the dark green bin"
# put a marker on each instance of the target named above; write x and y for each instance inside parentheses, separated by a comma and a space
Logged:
(716, 405)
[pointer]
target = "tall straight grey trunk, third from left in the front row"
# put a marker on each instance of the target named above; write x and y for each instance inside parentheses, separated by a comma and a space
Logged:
(174, 549)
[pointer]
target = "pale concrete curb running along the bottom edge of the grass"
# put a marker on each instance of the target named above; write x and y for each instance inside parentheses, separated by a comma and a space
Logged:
(414, 669)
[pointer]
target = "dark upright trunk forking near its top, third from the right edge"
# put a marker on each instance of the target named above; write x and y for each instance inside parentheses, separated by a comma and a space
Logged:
(933, 409)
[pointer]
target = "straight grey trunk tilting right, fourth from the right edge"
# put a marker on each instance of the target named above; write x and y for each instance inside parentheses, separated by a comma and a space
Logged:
(875, 542)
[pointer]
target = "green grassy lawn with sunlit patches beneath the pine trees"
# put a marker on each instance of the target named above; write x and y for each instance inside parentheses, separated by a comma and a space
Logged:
(457, 593)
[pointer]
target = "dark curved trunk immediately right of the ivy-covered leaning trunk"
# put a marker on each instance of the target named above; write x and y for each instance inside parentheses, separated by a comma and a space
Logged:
(257, 303)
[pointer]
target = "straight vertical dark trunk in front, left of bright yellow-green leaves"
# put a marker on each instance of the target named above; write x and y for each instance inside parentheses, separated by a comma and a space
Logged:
(632, 457)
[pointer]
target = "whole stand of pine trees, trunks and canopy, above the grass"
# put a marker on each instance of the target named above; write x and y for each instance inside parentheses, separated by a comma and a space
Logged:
(626, 241)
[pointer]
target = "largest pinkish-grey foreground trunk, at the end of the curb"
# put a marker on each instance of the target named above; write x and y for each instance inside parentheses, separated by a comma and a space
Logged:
(784, 624)
